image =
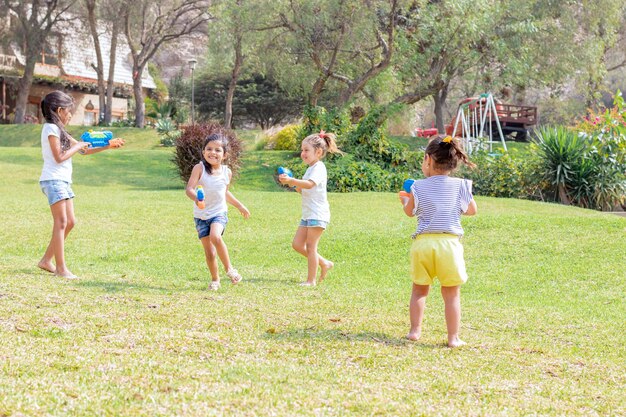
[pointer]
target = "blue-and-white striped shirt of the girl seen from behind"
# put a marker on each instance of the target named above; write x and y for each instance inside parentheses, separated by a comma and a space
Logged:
(439, 202)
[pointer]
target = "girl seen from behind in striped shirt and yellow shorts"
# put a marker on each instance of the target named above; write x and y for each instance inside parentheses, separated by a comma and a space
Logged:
(438, 201)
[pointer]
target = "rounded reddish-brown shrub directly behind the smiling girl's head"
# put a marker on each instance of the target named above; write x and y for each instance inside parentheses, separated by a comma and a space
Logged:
(189, 148)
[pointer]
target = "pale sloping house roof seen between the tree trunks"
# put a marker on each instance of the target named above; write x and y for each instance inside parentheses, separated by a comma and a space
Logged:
(78, 55)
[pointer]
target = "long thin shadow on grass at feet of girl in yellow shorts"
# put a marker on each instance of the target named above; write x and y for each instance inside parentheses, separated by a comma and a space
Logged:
(337, 334)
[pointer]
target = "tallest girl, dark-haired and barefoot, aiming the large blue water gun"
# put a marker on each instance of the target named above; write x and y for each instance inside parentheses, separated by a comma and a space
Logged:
(58, 147)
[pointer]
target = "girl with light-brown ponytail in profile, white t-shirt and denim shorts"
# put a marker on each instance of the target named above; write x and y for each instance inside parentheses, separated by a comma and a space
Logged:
(315, 209)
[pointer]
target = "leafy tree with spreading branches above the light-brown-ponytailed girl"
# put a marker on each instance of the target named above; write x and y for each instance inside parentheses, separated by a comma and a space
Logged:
(346, 41)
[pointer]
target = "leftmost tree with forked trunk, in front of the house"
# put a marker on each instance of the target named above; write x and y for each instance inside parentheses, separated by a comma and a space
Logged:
(36, 22)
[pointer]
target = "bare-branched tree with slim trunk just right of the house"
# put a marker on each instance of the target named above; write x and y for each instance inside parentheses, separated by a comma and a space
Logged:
(149, 24)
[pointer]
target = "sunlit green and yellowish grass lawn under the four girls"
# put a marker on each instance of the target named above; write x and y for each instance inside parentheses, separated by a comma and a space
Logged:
(139, 334)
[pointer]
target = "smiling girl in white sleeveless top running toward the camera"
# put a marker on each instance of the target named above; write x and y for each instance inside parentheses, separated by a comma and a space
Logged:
(210, 215)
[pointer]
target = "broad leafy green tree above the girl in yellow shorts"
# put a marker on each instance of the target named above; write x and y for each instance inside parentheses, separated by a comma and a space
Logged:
(484, 45)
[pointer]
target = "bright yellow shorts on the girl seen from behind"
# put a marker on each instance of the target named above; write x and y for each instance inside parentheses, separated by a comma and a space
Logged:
(438, 256)
